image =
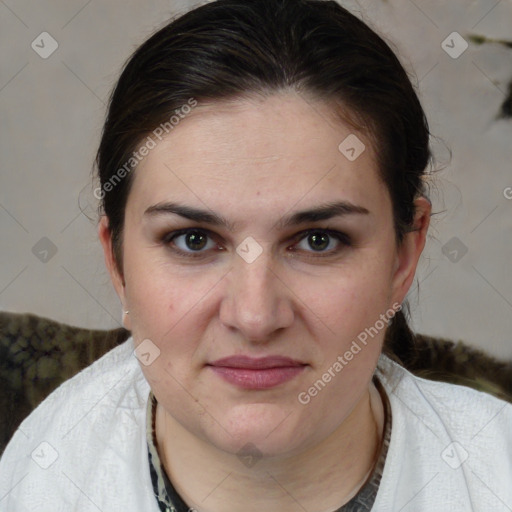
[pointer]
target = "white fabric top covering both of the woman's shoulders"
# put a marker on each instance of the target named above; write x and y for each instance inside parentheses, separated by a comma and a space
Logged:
(84, 447)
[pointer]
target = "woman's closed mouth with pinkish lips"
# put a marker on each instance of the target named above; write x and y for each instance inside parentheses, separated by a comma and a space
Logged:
(257, 373)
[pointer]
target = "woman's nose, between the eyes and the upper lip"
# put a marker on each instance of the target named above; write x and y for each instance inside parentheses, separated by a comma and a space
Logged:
(257, 301)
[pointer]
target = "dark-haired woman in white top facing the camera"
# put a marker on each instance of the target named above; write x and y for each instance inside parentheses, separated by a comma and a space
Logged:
(262, 176)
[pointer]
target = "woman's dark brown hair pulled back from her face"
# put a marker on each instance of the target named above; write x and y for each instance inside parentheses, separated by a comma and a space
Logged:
(227, 49)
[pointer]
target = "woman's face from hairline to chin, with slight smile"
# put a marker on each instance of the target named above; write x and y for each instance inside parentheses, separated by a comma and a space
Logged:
(250, 179)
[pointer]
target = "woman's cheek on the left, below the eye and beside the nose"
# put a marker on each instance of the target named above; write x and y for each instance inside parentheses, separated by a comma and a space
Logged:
(171, 309)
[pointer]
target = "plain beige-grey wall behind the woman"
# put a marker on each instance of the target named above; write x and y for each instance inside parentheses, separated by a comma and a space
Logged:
(52, 111)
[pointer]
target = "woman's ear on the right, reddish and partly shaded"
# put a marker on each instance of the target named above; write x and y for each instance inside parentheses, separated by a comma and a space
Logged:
(409, 252)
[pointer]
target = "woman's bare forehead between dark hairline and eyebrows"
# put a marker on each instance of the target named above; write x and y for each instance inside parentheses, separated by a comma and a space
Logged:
(283, 145)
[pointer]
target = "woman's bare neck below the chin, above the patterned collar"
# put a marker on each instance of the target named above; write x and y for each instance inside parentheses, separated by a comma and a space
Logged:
(323, 477)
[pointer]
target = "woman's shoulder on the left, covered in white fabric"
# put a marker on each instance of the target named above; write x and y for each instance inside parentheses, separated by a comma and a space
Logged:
(82, 440)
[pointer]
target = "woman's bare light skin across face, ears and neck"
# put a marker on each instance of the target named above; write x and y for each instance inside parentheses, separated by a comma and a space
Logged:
(254, 161)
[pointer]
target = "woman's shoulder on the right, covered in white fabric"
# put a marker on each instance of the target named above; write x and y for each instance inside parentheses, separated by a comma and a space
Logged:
(450, 446)
